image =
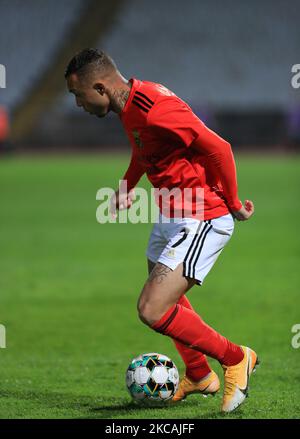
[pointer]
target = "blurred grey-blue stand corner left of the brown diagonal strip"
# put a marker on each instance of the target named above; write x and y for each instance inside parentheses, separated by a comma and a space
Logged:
(29, 41)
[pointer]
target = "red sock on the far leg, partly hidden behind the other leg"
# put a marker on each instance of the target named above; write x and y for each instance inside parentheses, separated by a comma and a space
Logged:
(196, 363)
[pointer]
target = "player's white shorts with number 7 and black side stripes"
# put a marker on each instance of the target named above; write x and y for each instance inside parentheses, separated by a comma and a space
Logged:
(196, 244)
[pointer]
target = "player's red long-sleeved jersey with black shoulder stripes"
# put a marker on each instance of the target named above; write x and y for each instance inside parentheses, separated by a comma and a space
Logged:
(175, 148)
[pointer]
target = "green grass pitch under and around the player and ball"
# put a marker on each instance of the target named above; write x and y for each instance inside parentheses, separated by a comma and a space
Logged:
(69, 286)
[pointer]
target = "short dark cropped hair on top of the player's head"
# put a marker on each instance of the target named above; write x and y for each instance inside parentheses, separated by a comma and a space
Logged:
(89, 60)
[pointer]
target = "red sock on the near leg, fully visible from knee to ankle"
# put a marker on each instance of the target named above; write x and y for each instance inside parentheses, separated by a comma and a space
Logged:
(187, 327)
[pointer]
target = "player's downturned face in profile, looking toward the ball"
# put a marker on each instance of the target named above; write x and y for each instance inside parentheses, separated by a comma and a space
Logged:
(91, 97)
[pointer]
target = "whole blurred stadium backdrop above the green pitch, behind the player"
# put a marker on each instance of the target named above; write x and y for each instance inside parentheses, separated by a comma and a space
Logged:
(230, 60)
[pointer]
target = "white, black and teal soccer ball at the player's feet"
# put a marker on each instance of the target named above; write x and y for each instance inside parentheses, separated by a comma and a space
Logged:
(152, 379)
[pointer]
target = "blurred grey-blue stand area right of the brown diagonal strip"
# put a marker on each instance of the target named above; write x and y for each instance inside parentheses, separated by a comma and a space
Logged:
(221, 54)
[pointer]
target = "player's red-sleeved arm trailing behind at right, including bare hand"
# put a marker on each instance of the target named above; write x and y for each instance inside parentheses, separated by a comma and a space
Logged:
(220, 154)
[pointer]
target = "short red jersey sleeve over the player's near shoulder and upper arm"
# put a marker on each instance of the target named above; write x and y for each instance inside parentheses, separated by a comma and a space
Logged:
(173, 119)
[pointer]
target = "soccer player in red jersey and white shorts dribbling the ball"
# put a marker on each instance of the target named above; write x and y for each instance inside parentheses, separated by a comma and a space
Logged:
(176, 150)
